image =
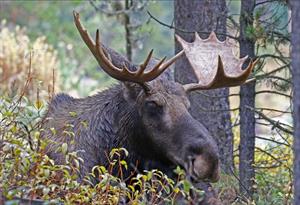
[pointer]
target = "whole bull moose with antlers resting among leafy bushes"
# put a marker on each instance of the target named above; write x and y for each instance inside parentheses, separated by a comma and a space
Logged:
(147, 113)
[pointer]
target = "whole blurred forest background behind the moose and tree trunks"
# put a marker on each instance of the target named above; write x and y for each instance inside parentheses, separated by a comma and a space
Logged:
(44, 32)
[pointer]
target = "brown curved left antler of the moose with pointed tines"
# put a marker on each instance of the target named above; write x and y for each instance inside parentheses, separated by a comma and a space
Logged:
(139, 76)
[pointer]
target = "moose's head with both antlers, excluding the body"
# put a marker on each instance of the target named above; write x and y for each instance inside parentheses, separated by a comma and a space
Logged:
(157, 109)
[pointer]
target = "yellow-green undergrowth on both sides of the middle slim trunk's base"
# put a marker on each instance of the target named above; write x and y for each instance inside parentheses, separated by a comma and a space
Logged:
(273, 173)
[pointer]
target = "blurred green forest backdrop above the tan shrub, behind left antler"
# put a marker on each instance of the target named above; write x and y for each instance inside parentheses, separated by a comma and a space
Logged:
(76, 67)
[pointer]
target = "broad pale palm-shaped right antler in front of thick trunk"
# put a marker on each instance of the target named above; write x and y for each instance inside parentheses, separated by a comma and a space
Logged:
(214, 64)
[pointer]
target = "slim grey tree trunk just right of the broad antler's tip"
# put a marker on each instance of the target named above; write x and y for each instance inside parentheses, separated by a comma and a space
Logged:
(247, 100)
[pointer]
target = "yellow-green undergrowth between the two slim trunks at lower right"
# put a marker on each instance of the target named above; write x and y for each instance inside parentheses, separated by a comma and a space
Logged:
(274, 174)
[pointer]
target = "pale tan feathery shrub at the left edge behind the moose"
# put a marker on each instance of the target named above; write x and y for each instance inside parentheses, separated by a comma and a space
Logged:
(20, 58)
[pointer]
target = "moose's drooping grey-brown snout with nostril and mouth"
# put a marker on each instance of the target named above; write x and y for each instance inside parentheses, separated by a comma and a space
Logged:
(199, 152)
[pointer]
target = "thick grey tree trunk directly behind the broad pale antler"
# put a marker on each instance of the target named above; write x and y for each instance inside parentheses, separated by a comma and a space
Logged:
(205, 16)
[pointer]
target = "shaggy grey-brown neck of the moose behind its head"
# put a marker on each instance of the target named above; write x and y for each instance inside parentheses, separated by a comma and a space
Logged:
(117, 121)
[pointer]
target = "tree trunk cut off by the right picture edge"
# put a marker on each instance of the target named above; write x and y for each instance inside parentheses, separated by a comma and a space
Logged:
(296, 97)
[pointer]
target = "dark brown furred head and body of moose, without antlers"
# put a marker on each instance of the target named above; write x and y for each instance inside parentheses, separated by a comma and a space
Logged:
(157, 129)
